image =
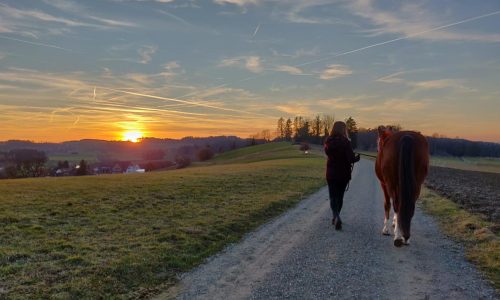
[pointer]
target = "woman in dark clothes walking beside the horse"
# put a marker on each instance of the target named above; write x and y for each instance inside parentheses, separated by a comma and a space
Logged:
(338, 168)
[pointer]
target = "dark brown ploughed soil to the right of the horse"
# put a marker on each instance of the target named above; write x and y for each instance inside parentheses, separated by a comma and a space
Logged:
(478, 192)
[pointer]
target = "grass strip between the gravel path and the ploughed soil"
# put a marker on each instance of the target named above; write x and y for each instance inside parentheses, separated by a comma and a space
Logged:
(482, 246)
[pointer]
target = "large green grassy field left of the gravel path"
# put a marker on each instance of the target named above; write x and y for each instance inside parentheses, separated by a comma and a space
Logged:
(122, 236)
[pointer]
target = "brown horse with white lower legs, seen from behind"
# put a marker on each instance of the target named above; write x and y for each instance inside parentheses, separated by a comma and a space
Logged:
(402, 165)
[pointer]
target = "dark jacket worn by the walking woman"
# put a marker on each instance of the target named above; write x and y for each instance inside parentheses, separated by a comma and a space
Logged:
(340, 157)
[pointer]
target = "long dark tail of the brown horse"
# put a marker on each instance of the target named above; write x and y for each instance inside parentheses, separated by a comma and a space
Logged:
(407, 184)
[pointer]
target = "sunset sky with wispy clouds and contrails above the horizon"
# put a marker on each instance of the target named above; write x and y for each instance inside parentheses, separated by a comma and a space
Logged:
(73, 70)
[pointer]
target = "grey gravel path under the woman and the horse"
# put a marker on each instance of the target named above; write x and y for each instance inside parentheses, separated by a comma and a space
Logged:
(300, 256)
